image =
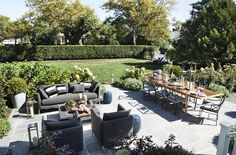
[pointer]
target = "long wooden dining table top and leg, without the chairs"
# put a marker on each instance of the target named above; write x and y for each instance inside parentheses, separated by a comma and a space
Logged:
(183, 91)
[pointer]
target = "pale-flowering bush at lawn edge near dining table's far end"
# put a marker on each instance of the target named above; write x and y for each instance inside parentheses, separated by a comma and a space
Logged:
(133, 72)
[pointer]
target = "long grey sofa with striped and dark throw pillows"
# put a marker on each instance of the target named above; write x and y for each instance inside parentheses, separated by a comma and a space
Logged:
(49, 96)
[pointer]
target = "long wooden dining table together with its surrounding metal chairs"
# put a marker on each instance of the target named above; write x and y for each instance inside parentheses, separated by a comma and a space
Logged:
(179, 95)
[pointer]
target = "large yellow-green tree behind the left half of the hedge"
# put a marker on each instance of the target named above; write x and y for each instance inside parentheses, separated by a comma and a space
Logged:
(52, 17)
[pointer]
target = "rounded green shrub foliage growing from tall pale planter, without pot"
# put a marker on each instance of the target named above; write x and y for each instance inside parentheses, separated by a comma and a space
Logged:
(15, 86)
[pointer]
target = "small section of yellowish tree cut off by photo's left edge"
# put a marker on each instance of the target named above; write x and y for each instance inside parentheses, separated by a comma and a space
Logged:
(4, 21)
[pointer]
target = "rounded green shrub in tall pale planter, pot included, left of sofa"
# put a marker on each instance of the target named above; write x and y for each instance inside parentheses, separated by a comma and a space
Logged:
(16, 88)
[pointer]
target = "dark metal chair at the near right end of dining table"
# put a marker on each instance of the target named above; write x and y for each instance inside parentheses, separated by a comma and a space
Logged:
(212, 106)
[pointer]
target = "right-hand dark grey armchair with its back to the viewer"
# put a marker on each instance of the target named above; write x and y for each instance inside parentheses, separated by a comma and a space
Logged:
(114, 127)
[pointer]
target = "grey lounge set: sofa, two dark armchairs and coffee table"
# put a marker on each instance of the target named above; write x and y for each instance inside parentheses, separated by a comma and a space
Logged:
(66, 127)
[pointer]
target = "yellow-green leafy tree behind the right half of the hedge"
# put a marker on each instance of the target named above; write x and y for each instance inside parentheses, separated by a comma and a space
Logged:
(145, 18)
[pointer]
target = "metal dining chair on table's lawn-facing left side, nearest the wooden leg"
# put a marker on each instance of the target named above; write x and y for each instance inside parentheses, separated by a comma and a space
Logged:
(175, 98)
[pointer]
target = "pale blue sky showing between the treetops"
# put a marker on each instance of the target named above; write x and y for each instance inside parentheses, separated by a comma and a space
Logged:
(16, 8)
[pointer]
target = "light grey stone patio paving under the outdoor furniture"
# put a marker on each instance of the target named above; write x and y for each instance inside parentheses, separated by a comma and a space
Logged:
(190, 132)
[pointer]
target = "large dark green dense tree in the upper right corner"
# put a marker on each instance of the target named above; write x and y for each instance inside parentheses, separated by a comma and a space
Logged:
(210, 34)
